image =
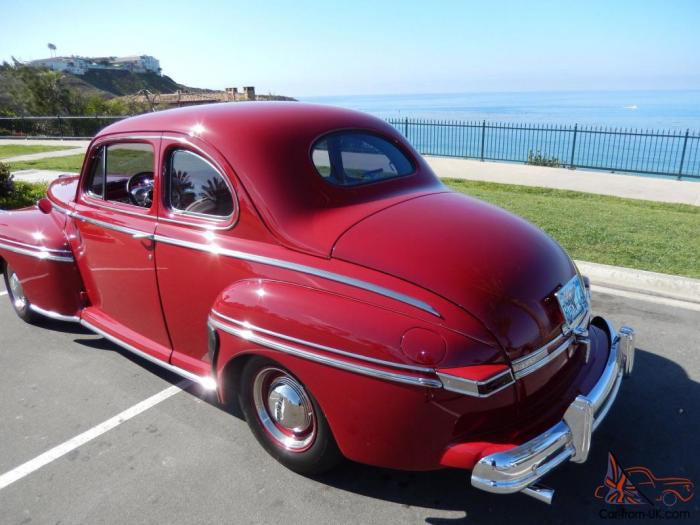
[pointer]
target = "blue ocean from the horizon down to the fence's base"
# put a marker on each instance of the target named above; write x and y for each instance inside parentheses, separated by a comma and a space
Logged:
(644, 132)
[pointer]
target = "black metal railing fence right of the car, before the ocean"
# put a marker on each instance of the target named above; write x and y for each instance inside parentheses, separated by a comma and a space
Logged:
(670, 153)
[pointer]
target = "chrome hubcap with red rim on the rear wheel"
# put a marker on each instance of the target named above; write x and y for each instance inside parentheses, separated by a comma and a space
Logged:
(284, 409)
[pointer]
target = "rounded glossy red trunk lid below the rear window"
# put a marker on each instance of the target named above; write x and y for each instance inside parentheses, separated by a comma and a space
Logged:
(495, 265)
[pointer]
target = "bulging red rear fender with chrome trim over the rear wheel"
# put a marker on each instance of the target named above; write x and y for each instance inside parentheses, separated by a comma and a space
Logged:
(368, 414)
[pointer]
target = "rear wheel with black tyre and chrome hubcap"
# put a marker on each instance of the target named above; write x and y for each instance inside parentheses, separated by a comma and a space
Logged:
(286, 419)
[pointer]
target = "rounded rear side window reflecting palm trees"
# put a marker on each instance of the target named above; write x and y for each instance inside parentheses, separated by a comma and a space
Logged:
(194, 186)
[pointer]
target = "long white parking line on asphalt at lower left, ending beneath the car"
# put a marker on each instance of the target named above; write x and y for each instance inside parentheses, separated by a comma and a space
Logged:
(64, 448)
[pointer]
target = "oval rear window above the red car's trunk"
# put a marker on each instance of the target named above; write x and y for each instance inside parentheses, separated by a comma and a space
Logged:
(353, 158)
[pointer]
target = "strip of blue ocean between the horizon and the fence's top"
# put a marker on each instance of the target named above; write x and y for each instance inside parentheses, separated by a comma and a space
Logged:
(643, 110)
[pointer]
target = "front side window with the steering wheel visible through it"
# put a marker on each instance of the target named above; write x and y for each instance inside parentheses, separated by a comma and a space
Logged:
(123, 173)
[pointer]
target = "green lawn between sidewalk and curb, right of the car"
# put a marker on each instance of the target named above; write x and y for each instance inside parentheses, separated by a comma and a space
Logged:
(638, 234)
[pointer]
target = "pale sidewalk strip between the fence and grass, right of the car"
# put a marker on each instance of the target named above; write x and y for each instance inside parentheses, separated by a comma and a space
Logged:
(602, 183)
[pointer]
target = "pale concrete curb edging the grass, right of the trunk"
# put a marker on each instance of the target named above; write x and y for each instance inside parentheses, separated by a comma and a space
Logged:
(641, 281)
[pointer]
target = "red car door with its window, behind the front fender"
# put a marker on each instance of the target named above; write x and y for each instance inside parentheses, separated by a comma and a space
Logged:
(114, 222)
